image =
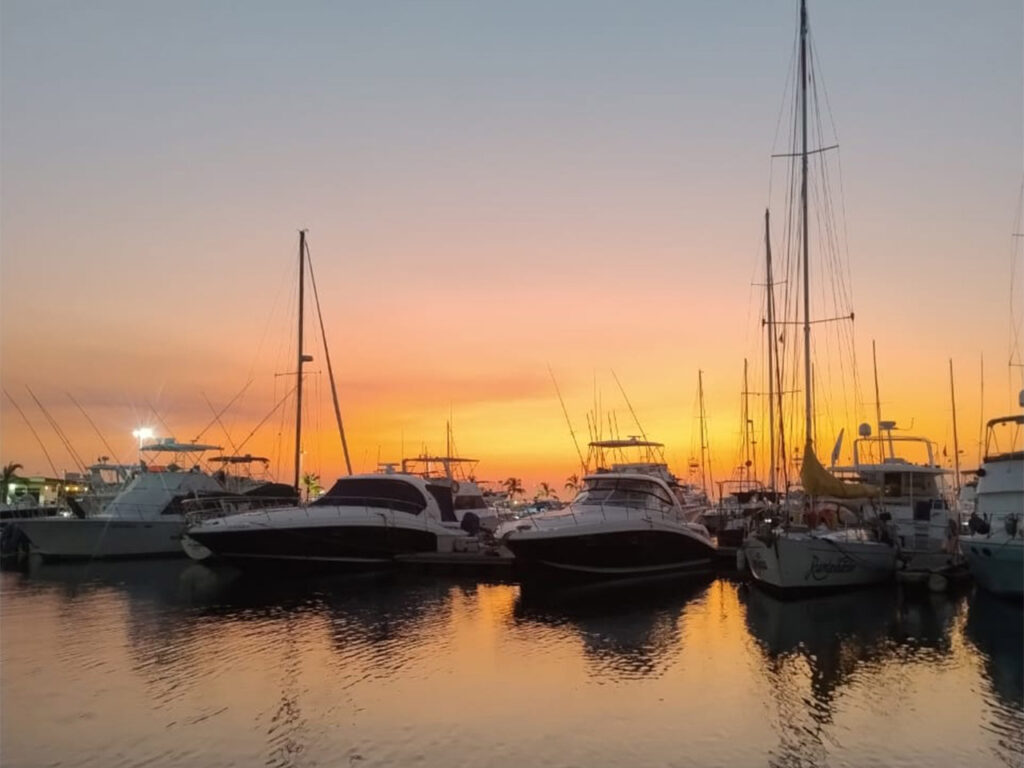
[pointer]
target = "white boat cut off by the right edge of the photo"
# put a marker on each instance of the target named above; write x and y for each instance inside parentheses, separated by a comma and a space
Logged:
(995, 550)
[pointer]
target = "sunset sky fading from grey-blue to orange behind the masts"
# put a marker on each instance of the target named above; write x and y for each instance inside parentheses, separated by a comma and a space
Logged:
(490, 188)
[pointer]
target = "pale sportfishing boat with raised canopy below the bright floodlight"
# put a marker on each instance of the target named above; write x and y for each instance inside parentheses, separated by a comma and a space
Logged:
(146, 520)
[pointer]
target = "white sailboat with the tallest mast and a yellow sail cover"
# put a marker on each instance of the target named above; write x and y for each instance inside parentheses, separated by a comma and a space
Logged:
(809, 558)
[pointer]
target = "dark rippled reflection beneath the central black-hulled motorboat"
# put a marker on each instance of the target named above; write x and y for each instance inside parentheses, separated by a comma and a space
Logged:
(628, 631)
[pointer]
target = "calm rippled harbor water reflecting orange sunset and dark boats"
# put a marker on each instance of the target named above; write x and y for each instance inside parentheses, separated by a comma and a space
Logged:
(177, 664)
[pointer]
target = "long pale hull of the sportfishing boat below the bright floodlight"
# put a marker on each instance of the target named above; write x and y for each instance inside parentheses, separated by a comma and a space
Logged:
(100, 538)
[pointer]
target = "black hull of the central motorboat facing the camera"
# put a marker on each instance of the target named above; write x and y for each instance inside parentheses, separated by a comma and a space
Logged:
(591, 552)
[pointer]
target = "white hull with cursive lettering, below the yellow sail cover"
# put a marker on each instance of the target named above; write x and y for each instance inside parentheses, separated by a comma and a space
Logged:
(810, 562)
